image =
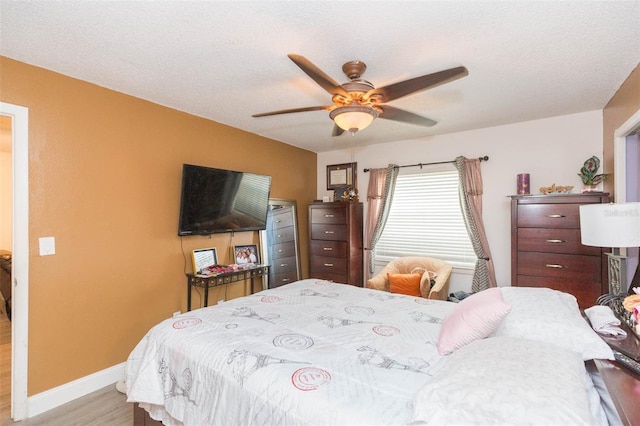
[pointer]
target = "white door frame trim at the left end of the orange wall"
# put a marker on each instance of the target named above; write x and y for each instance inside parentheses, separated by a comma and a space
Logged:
(19, 117)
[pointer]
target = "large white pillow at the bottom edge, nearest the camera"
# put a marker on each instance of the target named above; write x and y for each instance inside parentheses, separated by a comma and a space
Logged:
(506, 381)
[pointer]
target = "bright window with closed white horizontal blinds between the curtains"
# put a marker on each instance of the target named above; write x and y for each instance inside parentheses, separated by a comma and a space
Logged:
(425, 219)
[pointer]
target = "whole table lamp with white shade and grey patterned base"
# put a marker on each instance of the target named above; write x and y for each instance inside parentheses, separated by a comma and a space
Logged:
(615, 226)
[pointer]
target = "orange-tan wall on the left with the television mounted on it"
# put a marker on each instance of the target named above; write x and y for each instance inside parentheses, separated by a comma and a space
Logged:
(104, 180)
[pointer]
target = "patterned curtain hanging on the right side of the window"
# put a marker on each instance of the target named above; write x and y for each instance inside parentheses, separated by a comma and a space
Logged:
(470, 194)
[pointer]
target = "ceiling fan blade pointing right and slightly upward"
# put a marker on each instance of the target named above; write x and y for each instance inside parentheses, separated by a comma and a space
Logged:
(417, 84)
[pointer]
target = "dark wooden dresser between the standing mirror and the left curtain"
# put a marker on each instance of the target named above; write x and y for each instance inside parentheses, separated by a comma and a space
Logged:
(335, 242)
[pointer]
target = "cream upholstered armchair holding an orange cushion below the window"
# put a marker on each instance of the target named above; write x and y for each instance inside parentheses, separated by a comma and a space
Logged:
(428, 267)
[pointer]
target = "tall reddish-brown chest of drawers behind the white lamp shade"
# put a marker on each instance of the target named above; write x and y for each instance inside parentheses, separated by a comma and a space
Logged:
(546, 250)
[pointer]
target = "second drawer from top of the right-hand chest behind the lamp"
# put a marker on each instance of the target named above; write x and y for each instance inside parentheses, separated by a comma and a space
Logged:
(554, 240)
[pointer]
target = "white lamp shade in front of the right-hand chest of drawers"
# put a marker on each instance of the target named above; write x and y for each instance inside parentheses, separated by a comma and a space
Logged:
(610, 225)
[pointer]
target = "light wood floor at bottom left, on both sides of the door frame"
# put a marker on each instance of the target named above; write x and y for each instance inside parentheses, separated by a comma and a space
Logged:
(105, 407)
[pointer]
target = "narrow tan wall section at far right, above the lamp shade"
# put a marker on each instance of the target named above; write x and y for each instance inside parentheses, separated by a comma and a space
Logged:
(624, 103)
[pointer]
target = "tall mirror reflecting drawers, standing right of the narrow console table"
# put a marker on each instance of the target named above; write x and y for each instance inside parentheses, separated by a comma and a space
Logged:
(282, 249)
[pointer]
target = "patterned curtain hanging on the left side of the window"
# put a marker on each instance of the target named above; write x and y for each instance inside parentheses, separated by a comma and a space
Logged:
(382, 183)
